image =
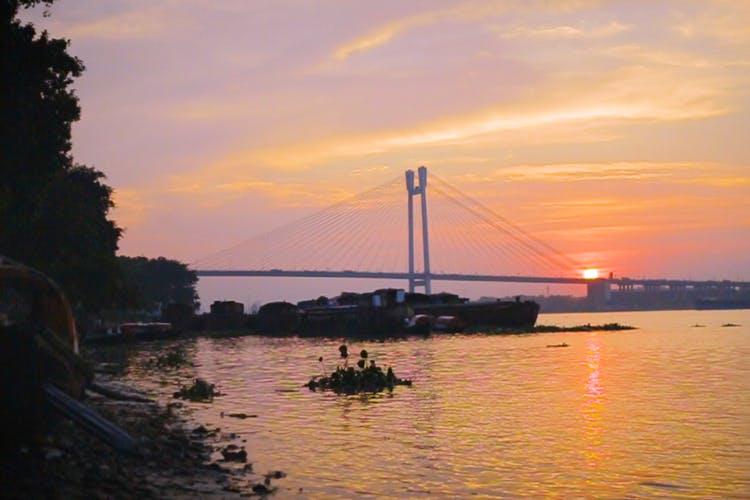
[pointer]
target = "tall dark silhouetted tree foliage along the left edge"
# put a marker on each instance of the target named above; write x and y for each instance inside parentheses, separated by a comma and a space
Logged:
(53, 211)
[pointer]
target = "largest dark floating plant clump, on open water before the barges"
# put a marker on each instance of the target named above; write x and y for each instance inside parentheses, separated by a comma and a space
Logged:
(366, 378)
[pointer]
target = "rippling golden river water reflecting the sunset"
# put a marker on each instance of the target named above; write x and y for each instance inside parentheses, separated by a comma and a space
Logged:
(660, 411)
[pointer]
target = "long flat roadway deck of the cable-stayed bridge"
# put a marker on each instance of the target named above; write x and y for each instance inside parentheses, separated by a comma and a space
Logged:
(620, 282)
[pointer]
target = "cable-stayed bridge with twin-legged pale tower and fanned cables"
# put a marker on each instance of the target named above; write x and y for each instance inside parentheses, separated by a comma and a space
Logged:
(382, 234)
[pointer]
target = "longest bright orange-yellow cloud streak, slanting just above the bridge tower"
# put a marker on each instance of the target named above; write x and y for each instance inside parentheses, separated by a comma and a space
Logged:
(628, 98)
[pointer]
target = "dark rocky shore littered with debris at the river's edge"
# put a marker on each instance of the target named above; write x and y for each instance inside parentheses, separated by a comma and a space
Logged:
(173, 460)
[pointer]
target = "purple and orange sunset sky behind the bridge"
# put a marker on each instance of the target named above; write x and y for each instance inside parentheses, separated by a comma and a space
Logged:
(615, 131)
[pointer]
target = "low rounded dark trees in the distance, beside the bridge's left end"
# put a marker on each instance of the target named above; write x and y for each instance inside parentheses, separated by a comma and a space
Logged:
(151, 282)
